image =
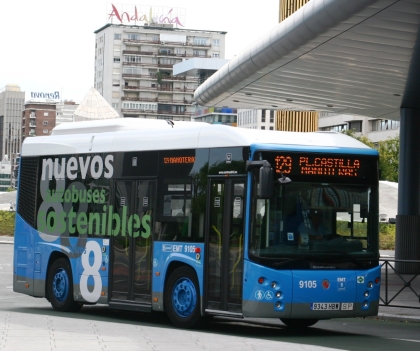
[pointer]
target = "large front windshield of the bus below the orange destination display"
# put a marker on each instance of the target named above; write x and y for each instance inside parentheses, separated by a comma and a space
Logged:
(318, 220)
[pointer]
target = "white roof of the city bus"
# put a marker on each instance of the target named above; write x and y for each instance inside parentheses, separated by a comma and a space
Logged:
(135, 134)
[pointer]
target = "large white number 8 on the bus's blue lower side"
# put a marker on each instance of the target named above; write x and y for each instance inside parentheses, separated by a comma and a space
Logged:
(91, 270)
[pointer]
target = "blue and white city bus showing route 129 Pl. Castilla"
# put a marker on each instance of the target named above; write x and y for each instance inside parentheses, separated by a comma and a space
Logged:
(199, 220)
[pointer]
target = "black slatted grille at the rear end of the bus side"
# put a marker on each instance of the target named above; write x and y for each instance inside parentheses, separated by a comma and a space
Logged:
(27, 189)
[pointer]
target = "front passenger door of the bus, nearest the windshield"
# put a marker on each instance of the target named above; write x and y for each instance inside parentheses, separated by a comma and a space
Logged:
(224, 239)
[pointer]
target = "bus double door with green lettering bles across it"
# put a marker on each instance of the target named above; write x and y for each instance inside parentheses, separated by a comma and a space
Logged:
(131, 244)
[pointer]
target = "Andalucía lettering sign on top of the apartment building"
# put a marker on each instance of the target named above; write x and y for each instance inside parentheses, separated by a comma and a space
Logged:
(140, 14)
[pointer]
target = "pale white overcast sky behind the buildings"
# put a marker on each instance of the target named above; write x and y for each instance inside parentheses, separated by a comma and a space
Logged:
(49, 45)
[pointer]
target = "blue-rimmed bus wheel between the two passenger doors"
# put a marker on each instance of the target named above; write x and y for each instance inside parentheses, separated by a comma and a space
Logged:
(182, 298)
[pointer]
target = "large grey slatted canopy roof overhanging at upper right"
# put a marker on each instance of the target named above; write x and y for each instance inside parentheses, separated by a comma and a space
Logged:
(355, 57)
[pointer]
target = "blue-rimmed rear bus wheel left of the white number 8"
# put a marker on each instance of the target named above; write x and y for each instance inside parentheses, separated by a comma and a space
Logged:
(60, 287)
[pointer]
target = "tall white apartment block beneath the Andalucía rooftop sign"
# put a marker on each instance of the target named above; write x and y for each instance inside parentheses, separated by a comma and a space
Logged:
(134, 68)
